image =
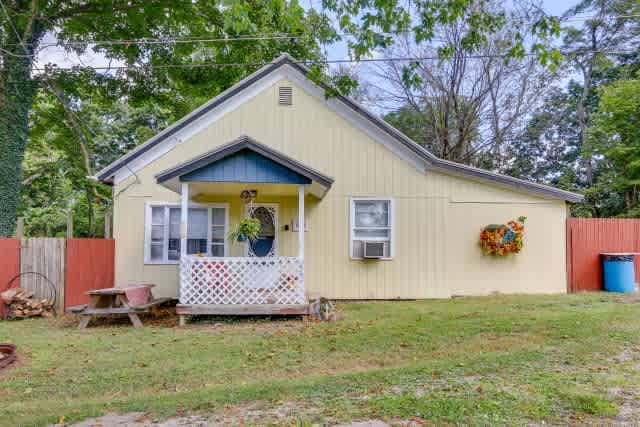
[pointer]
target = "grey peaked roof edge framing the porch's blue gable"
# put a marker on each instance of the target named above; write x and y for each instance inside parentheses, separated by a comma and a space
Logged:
(244, 143)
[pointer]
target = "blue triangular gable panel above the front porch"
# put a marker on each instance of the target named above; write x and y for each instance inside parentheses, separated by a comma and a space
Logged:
(245, 166)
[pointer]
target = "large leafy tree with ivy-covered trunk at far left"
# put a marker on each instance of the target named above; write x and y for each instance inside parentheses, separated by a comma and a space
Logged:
(81, 25)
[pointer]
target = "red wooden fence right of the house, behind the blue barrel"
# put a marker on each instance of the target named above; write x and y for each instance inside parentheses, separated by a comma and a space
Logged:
(587, 238)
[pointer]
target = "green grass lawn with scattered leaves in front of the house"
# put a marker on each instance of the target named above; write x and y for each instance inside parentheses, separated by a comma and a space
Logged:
(492, 360)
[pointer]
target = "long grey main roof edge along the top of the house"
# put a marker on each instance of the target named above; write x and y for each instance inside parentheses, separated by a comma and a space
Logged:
(107, 174)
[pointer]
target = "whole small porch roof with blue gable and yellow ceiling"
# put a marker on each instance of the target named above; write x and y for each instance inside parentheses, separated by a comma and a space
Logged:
(245, 162)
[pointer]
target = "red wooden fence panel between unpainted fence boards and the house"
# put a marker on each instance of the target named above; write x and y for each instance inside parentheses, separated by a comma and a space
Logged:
(90, 265)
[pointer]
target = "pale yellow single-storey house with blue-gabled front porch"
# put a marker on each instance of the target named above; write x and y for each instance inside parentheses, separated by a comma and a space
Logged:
(349, 207)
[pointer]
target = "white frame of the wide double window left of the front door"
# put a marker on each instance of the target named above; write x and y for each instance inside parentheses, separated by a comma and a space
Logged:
(165, 250)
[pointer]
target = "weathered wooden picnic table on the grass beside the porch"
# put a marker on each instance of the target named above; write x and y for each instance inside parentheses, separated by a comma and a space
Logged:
(110, 301)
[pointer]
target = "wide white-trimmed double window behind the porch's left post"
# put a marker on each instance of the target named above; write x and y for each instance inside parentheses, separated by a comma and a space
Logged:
(206, 232)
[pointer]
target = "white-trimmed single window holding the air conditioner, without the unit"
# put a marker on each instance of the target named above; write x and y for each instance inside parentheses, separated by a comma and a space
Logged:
(371, 220)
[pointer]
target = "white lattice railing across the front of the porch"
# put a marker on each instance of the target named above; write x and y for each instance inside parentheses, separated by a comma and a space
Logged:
(241, 280)
